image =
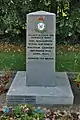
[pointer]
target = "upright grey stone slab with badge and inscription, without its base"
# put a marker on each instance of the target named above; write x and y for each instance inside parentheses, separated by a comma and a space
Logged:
(40, 49)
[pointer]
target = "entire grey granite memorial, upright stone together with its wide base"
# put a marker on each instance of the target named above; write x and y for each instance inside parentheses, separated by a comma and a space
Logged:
(40, 84)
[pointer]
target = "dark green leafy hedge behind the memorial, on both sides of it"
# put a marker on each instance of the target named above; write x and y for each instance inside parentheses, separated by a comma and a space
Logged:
(13, 18)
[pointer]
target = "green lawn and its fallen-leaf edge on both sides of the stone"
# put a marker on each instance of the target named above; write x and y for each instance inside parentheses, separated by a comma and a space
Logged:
(13, 57)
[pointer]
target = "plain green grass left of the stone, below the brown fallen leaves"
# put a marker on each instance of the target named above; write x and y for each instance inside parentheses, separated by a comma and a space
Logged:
(12, 61)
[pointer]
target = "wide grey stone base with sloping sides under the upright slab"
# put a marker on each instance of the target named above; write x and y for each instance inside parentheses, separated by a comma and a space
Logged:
(19, 93)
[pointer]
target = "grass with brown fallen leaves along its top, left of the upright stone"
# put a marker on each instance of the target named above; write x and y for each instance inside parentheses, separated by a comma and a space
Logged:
(12, 57)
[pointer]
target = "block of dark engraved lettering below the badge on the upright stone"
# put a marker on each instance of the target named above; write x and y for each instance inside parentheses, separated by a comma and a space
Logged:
(40, 46)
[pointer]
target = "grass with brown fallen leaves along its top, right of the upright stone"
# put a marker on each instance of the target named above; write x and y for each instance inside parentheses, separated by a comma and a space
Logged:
(68, 58)
